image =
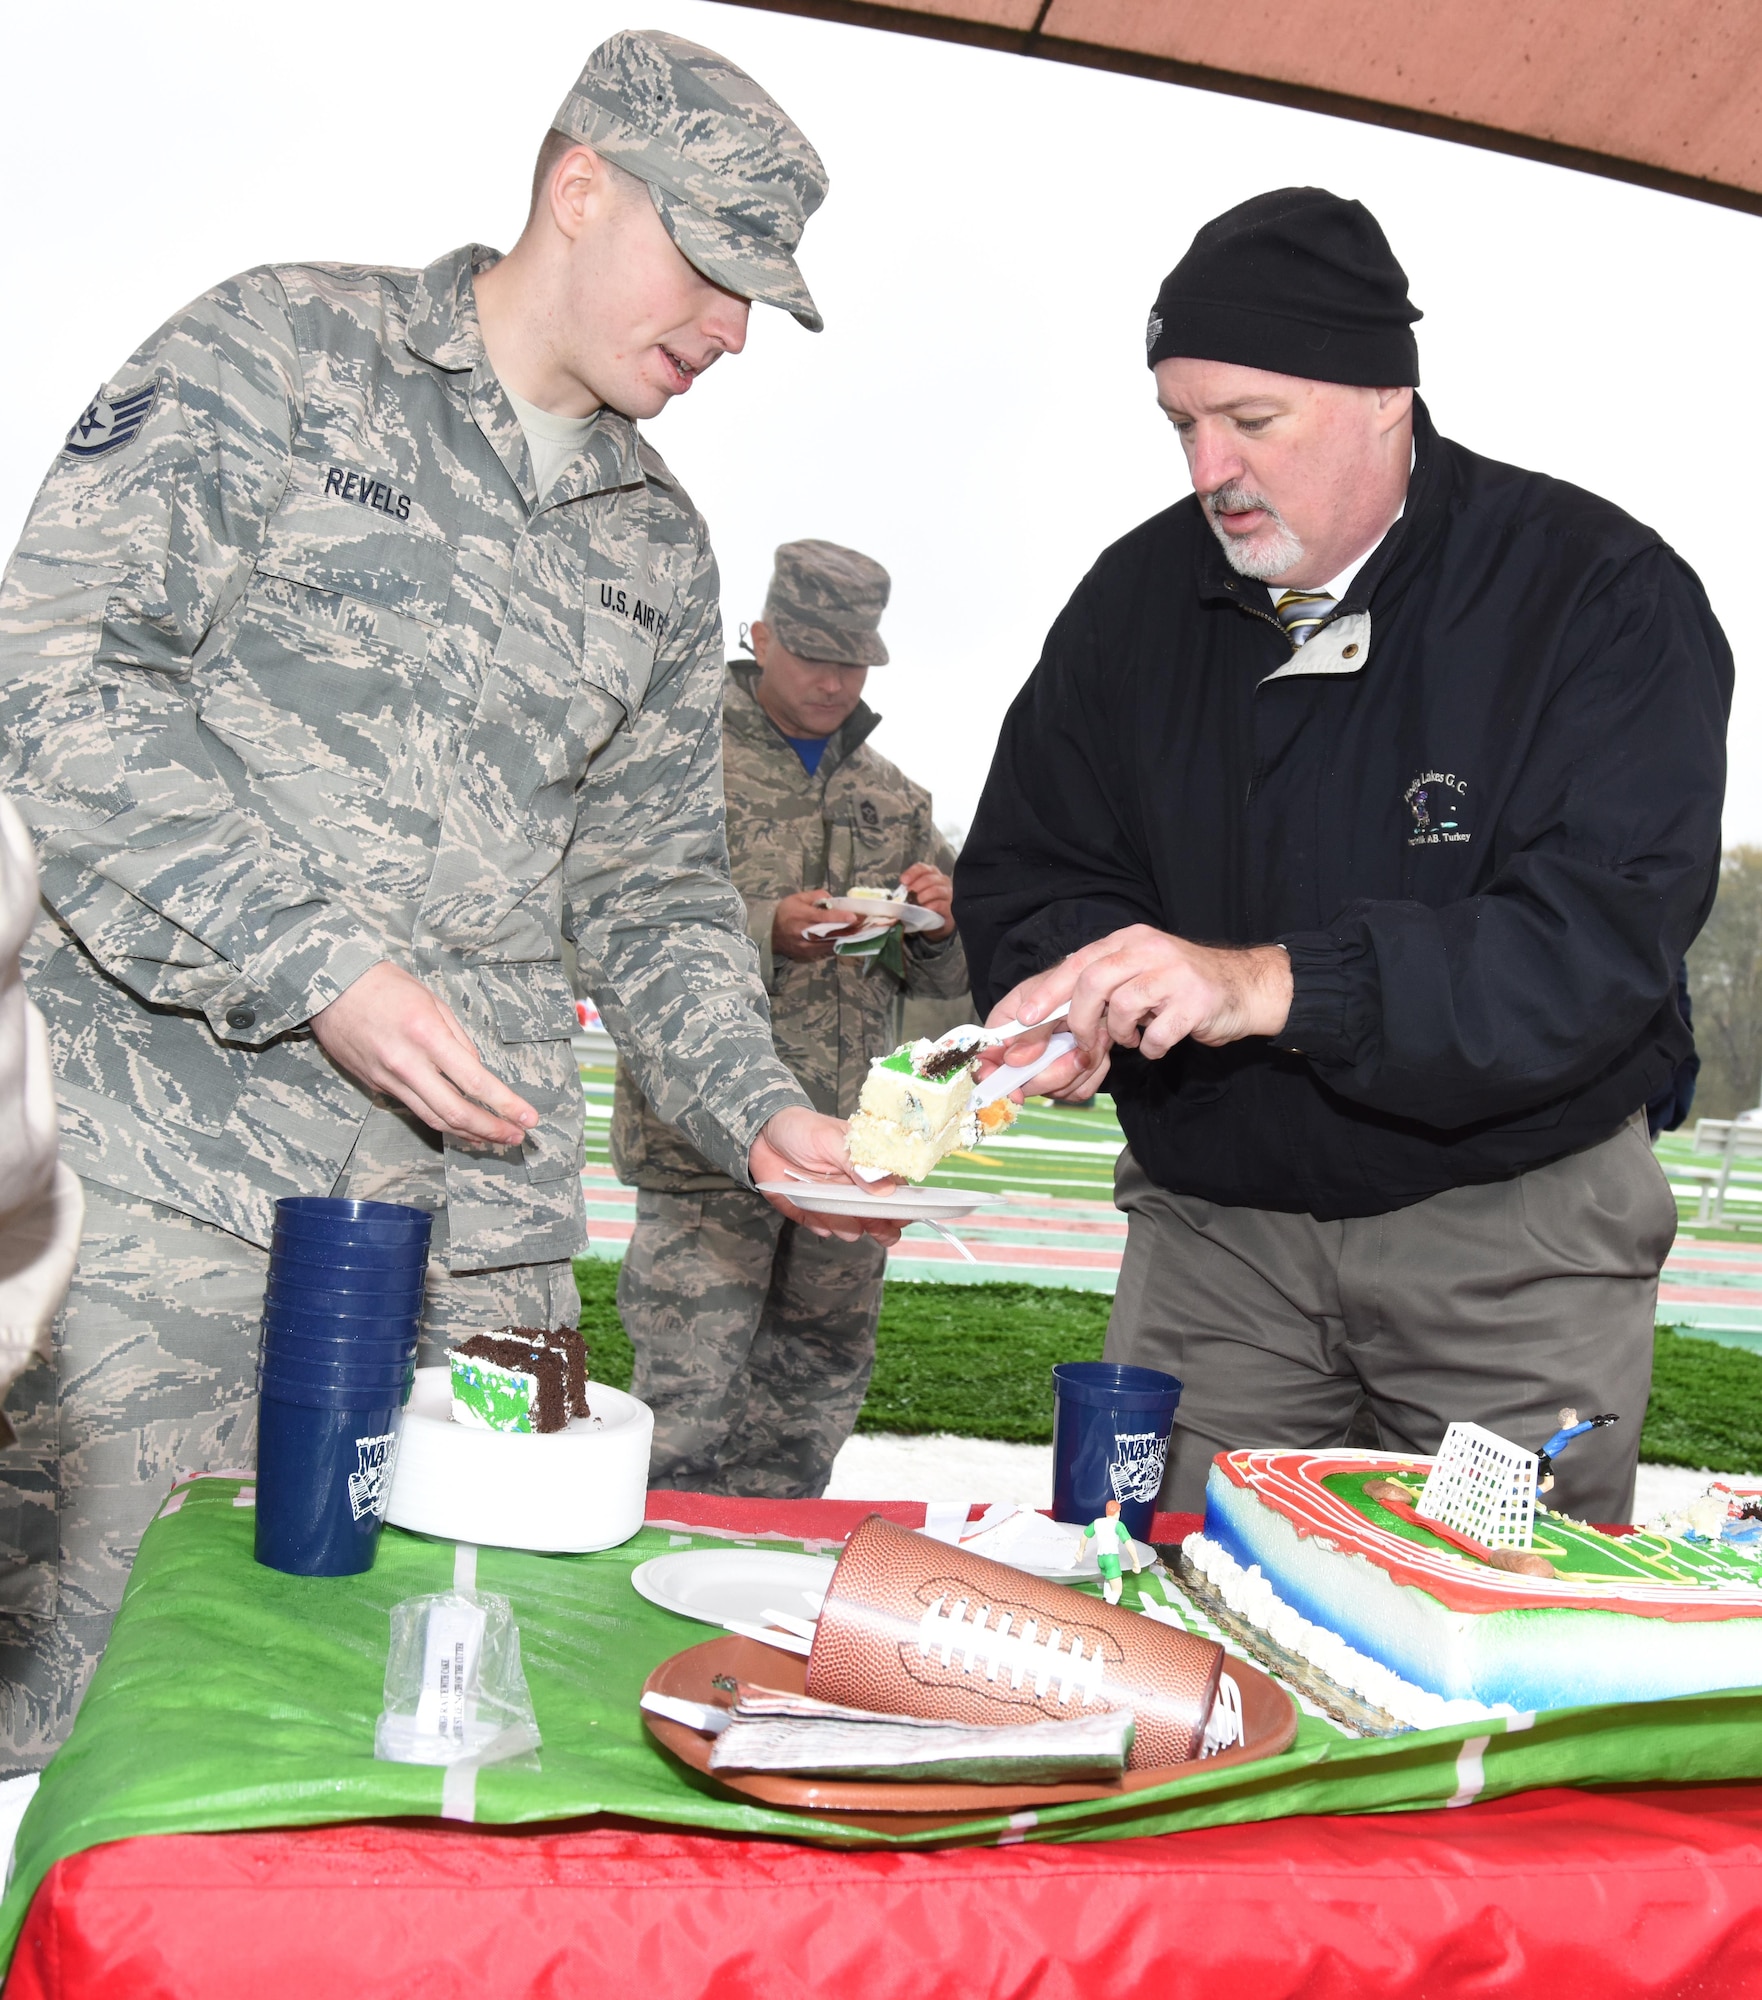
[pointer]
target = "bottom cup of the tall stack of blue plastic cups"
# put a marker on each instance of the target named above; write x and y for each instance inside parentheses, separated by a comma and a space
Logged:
(323, 1481)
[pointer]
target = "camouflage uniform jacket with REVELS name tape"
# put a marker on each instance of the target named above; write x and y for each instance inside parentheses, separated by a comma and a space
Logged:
(297, 675)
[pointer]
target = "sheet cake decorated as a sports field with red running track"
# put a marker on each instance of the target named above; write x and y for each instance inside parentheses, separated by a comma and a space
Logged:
(1329, 1557)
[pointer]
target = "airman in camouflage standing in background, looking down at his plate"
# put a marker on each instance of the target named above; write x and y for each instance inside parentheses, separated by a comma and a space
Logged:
(755, 1341)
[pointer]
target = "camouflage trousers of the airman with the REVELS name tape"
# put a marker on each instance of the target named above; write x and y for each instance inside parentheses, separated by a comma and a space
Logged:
(153, 1373)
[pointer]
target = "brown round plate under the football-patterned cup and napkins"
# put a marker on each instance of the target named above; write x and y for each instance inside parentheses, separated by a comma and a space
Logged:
(1269, 1715)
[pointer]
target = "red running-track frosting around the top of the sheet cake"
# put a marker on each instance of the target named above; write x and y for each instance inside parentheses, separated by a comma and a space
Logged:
(1291, 1485)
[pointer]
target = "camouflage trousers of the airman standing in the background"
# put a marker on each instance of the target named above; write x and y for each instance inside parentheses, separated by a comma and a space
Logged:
(755, 1341)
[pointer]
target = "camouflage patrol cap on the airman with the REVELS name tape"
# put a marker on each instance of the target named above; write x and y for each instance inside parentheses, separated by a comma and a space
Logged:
(731, 173)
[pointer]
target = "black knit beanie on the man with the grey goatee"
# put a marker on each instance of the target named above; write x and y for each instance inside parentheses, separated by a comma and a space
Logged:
(1299, 283)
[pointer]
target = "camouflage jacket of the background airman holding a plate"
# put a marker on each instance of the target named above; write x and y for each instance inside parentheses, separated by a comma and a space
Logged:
(857, 819)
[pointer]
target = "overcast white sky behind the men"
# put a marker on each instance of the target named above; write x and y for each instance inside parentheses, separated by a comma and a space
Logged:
(979, 413)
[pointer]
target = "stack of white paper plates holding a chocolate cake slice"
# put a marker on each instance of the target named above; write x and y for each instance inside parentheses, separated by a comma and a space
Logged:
(571, 1491)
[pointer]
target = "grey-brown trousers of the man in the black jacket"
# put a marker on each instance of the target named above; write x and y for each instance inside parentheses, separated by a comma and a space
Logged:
(1493, 1305)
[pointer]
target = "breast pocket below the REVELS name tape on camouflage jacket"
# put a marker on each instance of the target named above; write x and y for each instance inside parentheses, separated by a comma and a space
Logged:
(329, 657)
